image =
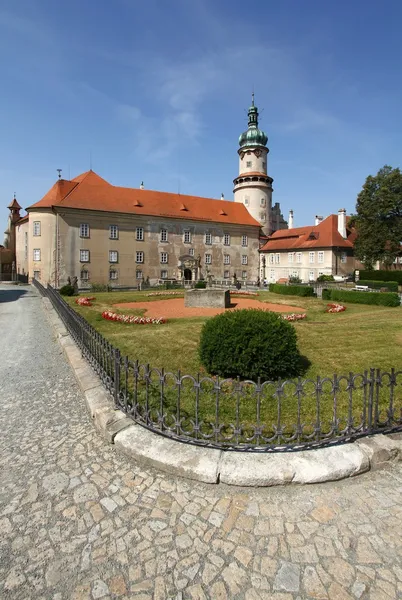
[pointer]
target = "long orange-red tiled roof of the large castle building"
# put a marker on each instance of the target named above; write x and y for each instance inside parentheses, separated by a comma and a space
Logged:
(90, 192)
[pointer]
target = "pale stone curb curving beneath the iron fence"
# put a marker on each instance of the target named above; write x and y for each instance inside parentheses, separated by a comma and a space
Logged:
(208, 464)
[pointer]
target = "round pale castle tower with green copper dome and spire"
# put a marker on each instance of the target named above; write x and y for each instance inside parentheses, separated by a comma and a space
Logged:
(253, 186)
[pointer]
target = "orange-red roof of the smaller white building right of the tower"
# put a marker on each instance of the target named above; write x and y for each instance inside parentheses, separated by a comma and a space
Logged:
(323, 235)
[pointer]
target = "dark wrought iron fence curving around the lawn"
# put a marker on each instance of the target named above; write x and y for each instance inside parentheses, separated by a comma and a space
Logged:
(232, 414)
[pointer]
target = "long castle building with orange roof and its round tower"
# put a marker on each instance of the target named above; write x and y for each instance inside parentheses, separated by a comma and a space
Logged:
(103, 233)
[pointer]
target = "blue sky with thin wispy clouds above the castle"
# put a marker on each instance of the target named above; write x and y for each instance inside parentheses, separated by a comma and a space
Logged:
(158, 91)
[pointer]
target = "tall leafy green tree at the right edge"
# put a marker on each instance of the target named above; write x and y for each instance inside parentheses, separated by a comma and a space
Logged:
(378, 218)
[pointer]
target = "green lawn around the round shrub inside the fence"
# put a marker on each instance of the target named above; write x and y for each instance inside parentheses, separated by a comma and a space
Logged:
(352, 341)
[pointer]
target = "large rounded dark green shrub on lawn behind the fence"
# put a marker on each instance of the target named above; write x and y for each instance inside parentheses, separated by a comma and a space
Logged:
(249, 343)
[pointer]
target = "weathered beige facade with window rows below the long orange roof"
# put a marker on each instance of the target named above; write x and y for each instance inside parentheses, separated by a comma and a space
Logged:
(165, 253)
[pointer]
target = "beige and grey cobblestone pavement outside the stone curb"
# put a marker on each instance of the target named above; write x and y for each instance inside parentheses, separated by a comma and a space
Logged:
(79, 521)
